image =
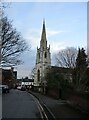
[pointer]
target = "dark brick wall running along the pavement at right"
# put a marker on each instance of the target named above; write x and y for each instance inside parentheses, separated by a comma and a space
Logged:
(78, 99)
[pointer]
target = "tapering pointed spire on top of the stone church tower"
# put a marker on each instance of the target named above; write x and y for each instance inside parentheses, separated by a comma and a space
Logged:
(43, 36)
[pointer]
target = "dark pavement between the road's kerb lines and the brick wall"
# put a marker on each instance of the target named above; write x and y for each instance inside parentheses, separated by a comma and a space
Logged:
(60, 109)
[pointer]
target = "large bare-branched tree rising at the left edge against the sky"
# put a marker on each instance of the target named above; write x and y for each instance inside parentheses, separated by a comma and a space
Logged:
(12, 43)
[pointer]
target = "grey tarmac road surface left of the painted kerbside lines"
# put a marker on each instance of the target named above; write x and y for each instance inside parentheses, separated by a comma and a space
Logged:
(19, 104)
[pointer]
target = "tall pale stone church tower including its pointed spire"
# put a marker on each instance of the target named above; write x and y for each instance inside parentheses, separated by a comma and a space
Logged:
(43, 58)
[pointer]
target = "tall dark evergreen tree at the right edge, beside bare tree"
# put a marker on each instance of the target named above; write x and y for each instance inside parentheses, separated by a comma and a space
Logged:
(80, 69)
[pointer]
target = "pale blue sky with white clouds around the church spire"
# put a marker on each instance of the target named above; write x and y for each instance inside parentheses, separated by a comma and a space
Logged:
(66, 26)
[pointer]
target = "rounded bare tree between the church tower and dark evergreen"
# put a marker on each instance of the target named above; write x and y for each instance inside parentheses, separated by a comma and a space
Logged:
(67, 57)
